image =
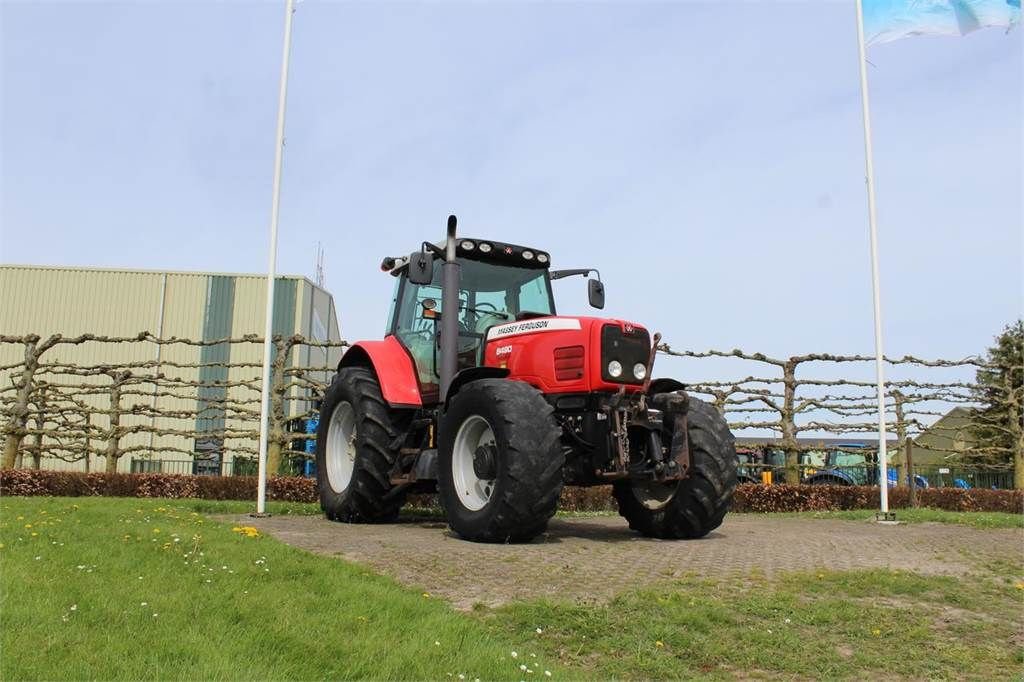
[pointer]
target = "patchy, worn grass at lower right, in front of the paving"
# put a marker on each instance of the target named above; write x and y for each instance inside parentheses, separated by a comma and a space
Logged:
(860, 625)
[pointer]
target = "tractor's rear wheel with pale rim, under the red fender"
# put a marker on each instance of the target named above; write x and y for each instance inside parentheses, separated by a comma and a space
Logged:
(355, 453)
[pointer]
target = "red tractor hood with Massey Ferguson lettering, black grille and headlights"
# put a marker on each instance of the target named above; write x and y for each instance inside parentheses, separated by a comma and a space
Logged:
(568, 355)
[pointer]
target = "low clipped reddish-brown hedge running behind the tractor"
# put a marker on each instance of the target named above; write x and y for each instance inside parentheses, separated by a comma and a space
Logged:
(749, 498)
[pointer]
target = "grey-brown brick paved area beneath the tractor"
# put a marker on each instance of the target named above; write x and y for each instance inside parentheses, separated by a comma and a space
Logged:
(592, 560)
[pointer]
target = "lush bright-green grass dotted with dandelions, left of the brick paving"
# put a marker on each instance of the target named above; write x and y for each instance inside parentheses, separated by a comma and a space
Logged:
(144, 589)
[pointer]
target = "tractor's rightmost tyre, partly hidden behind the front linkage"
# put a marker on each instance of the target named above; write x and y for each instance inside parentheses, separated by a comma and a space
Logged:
(696, 506)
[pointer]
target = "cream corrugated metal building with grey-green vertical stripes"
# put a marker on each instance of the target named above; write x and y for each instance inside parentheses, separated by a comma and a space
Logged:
(189, 306)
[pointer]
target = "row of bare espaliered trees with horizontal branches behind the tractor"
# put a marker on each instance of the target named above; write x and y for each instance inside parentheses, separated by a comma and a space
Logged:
(181, 406)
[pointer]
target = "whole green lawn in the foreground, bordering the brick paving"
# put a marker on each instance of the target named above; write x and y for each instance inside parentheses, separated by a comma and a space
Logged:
(231, 607)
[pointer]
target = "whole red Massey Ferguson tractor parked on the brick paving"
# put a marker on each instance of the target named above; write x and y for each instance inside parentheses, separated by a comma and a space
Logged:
(482, 393)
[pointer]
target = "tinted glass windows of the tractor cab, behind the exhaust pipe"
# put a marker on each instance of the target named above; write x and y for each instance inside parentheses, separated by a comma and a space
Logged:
(489, 294)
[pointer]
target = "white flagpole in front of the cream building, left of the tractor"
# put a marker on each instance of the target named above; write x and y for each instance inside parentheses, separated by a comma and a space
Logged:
(265, 418)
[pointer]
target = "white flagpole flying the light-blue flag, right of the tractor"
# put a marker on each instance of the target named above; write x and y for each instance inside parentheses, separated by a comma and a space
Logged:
(879, 354)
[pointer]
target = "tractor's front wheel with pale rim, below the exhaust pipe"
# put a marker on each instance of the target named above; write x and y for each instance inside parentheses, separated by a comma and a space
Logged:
(500, 462)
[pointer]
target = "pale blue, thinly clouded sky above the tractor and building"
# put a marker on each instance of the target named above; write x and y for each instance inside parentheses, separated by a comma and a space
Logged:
(708, 158)
